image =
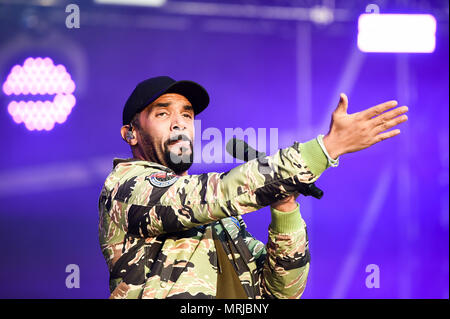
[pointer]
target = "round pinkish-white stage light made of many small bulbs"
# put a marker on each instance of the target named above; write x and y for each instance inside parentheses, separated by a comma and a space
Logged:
(39, 76)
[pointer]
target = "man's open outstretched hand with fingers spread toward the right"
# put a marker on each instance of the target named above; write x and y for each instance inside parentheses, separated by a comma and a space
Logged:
(353, 132)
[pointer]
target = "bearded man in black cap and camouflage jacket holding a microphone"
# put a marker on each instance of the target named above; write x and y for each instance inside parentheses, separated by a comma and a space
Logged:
(167, 234)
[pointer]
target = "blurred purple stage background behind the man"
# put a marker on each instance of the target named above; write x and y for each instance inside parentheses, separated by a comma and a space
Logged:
(386, 205)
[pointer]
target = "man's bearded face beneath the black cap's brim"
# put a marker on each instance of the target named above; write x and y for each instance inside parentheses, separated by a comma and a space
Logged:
(166, 132)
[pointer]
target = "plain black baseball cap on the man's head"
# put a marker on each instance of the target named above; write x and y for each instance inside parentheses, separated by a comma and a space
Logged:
(149, 90)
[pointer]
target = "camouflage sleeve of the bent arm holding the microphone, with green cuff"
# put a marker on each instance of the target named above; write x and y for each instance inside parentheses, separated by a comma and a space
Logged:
(286, 265)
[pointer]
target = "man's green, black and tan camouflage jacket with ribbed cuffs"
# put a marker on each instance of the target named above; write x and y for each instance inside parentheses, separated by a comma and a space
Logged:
(156, 228)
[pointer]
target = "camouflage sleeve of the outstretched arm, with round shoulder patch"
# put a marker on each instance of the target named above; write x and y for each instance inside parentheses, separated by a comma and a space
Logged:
(200, 199)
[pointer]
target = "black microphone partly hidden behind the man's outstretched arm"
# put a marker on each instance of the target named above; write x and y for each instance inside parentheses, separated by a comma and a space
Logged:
(241, 150)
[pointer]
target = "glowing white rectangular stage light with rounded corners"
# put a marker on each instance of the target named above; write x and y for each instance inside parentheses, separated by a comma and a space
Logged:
(408, 33)
